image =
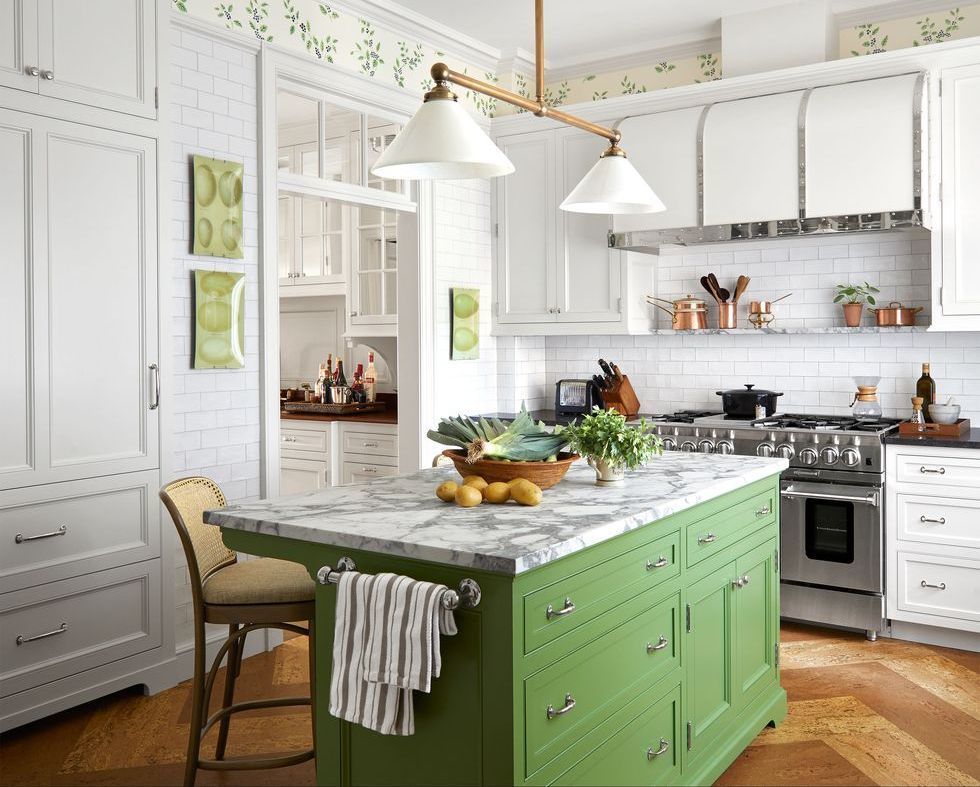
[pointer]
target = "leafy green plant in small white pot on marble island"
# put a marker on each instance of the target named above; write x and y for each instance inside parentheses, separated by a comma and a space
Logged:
(610, 446)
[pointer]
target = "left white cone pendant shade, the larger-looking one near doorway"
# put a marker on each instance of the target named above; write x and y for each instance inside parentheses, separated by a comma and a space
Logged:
(441, 142)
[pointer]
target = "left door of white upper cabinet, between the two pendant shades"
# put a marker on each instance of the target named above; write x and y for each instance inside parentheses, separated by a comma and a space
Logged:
(526, 215)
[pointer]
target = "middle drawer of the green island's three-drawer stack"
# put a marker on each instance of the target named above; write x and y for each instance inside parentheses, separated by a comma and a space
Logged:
(566, 700)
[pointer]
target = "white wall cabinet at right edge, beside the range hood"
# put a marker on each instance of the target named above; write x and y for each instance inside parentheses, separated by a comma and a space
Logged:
(959, 246)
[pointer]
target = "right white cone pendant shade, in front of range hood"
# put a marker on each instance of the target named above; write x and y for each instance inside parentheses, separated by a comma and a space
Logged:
(612, 186)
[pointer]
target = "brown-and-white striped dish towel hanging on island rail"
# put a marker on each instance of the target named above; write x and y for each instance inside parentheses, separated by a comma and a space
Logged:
(386, 644)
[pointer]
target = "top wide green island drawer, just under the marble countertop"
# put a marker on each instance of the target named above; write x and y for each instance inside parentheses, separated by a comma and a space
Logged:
(565, 605)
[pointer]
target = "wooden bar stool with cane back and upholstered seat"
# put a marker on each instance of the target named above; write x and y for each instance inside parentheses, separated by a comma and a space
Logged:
(246, 596)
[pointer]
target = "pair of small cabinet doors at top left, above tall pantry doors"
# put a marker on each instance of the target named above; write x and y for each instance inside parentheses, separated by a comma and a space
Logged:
(99, 52)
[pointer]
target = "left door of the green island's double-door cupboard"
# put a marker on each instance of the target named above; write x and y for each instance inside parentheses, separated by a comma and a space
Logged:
(708, 652)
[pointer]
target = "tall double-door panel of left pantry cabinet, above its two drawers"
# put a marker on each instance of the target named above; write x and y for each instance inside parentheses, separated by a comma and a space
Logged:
(79, 301)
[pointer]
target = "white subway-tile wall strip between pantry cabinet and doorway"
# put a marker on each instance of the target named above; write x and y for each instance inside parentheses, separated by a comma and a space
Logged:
(216, 419)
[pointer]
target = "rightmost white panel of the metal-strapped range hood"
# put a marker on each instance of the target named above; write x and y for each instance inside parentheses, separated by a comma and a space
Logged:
(860, 147)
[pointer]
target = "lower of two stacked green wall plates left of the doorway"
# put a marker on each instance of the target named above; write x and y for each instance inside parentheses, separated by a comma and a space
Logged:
(219, 320)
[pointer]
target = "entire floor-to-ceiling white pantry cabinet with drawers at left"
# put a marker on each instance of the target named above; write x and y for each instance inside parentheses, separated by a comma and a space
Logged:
(83, 609)
